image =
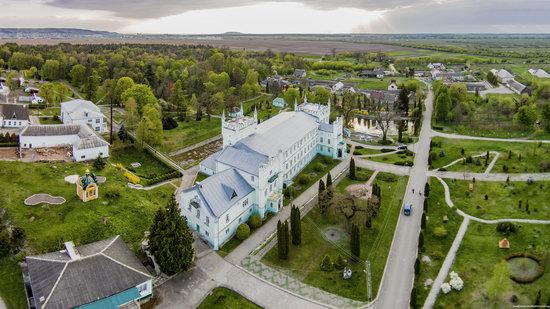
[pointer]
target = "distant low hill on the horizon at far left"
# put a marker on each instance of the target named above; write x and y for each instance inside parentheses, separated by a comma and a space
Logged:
(54, 33)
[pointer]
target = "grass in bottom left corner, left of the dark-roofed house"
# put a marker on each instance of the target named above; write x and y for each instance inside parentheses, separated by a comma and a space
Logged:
(11, 285)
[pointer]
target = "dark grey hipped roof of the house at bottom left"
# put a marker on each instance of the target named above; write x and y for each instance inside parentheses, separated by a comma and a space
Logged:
(105, 268)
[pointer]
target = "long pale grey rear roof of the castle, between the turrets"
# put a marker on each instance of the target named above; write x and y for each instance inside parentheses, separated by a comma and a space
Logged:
(280, 132)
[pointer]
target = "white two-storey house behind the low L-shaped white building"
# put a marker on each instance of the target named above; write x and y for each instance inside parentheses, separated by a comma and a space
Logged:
(83, 112)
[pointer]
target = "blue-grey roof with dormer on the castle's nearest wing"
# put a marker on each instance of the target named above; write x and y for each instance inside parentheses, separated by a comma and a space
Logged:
(222, 190)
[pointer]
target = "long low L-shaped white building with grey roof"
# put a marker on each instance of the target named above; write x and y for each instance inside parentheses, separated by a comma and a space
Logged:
(83, 141)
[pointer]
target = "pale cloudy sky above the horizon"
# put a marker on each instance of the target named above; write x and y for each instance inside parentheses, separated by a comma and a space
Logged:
(293, 16)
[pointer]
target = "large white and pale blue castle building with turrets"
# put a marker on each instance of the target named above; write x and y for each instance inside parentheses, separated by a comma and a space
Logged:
(256, 162)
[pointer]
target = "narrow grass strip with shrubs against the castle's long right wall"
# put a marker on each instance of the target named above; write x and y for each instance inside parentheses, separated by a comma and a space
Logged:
(317, 168)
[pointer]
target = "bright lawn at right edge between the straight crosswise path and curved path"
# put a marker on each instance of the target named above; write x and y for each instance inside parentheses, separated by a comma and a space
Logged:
(502, 199)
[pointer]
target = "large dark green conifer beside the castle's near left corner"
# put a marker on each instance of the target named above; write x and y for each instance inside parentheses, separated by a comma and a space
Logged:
(170, 240)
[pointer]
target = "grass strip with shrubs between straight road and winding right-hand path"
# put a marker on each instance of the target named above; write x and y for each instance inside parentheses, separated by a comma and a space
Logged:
(436, 247)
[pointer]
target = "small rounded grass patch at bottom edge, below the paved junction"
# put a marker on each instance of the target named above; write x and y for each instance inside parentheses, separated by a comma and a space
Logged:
(224, 298)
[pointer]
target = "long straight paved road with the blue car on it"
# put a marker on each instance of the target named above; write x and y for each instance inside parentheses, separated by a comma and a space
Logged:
(397, 280)
